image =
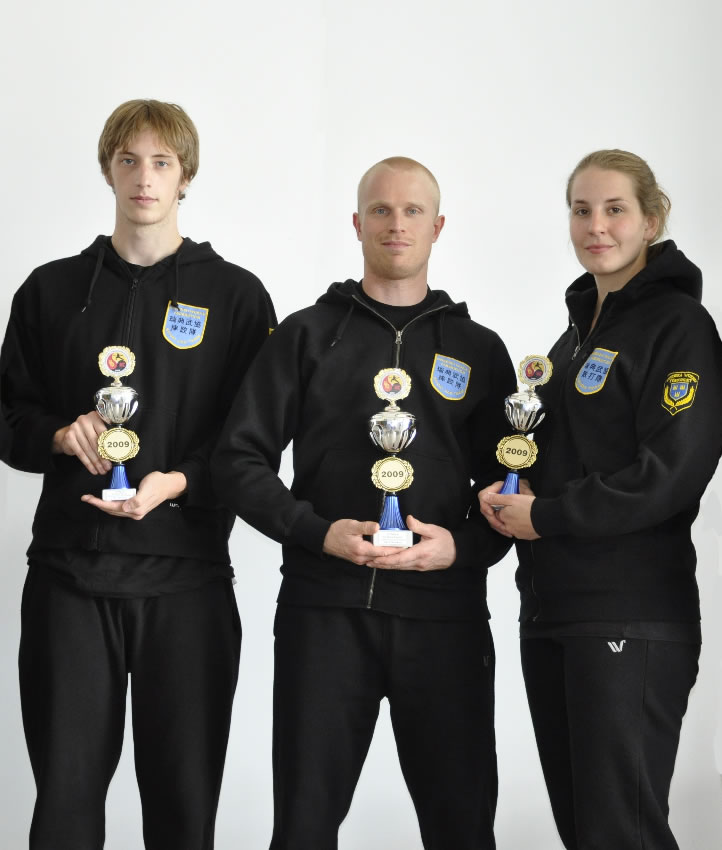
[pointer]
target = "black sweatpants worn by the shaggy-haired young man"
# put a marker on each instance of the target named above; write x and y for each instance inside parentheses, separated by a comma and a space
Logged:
(182, 652)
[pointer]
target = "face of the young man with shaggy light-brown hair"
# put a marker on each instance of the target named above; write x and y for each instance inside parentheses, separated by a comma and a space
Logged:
(147, 179)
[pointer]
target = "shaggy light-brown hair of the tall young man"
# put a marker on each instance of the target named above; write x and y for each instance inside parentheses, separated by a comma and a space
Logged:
(167, 121)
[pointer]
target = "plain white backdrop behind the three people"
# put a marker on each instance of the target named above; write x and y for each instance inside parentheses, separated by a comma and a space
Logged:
(293, 101)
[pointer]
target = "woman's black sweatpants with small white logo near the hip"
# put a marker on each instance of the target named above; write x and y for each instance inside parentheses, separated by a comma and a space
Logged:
(607, 717)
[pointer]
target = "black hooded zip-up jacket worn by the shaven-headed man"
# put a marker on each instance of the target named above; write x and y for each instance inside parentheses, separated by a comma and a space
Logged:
(313, 384)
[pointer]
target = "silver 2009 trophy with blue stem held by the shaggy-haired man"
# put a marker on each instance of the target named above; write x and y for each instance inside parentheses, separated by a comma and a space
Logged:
(115, 405)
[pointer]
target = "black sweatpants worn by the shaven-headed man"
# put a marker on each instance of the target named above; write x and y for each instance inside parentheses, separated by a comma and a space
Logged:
(333, 667)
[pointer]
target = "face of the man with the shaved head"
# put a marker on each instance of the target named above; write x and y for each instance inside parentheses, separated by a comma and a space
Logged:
(397, 222)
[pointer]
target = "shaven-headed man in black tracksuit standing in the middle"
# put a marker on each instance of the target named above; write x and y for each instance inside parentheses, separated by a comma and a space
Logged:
(356, 621)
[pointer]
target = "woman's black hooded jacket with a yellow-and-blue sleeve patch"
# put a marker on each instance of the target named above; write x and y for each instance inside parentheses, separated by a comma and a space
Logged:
(625, 454)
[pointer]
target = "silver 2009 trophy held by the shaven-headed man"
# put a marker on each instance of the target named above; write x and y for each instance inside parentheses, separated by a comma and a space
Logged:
(392, 430)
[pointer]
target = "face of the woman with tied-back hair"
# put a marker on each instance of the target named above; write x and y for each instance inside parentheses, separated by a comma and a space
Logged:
(609, 231)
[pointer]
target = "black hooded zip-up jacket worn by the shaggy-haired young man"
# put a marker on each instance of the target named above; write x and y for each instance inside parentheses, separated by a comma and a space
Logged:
(62, 317)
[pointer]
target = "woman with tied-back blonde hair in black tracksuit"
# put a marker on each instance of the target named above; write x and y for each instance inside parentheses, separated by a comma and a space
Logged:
(610, 631)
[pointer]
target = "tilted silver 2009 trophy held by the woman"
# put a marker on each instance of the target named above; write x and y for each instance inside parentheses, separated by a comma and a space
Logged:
(524, 410)
